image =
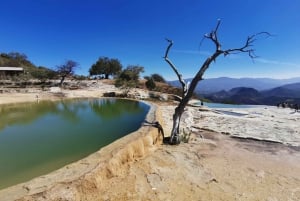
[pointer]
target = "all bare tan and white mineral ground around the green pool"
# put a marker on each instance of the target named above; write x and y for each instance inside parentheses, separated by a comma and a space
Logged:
(212, 166)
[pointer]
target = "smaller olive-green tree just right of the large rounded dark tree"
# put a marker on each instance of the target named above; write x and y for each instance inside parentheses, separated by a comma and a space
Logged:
(129, 77)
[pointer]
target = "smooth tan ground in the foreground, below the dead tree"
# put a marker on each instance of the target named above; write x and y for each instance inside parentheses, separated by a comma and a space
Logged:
(211, 167)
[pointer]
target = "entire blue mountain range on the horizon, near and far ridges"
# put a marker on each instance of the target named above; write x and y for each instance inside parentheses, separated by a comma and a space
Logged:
(265, 91)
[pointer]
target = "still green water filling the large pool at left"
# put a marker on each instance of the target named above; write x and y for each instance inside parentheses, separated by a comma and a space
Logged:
(37, 138)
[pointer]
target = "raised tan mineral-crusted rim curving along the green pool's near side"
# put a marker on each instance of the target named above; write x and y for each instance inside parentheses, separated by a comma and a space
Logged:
(88, 173)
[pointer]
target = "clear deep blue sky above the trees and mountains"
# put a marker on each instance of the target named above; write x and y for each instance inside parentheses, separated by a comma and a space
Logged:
(50, 32)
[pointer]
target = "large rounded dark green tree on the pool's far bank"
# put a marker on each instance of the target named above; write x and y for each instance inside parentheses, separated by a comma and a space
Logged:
(106, 66)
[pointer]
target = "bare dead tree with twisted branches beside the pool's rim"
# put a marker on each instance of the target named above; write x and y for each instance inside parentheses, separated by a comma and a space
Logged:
(188, 89)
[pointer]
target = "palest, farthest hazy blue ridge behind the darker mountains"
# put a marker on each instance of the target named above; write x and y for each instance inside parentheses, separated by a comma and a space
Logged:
(213, 85)
